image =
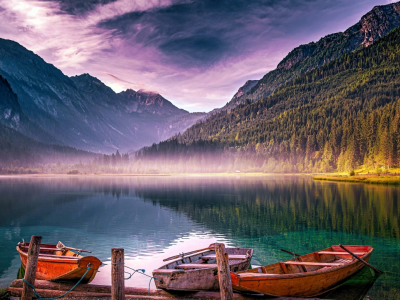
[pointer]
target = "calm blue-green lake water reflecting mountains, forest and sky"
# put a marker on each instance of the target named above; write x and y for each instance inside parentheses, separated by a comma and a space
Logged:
(156, 217)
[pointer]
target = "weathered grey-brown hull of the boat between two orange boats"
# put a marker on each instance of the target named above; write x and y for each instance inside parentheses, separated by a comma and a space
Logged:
(196, 279)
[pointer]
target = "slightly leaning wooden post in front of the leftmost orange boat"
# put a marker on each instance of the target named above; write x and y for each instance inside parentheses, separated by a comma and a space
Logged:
(31, 265)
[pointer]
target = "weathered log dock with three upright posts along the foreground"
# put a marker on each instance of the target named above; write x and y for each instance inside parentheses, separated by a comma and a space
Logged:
(117, 290)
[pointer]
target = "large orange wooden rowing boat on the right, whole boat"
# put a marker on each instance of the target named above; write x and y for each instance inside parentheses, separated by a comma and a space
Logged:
(308, 275)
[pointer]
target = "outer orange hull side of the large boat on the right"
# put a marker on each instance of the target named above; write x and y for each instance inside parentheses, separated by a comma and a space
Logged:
(307, 284)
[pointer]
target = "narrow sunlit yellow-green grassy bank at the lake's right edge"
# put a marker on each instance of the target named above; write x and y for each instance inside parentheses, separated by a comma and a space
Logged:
(373, 179)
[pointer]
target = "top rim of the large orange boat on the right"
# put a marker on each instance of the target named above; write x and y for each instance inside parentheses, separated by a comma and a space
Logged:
(259, 276)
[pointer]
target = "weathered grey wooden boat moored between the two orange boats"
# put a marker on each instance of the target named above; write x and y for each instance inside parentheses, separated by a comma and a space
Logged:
(196, 270)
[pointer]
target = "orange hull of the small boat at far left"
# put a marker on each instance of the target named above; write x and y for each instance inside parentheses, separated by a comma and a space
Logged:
(63, 269)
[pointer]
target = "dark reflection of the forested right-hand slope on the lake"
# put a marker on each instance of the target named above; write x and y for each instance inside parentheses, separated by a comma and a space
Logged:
(254, 208)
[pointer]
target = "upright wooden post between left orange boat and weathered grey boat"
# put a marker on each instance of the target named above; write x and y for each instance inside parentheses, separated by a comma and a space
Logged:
(117, 274)
